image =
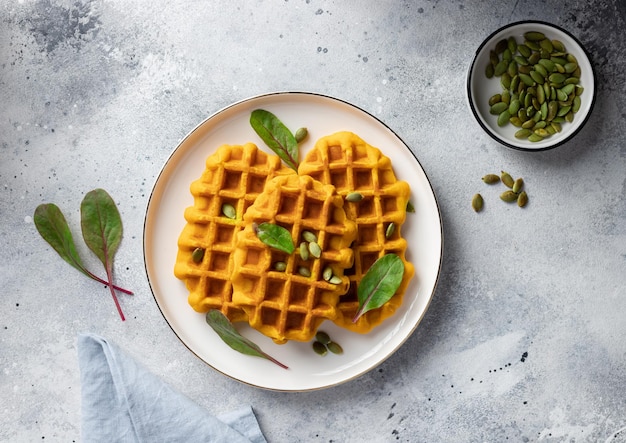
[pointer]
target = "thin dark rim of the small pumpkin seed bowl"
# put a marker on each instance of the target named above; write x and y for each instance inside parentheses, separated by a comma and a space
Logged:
(472, 72)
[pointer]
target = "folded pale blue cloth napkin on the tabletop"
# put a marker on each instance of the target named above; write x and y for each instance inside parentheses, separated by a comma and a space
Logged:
(123, 402)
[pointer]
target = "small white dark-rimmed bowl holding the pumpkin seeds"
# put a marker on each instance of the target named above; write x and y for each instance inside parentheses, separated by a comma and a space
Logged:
(480, 88)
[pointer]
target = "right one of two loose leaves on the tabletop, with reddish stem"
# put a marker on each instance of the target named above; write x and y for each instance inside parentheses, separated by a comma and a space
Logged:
(102, 231)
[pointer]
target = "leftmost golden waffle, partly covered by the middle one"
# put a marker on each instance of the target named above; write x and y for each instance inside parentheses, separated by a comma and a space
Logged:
(234, 175)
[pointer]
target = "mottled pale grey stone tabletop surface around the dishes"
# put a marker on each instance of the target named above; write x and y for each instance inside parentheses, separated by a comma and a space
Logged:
(525, 337)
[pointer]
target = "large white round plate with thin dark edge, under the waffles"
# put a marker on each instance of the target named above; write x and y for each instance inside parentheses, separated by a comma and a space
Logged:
(164, 221)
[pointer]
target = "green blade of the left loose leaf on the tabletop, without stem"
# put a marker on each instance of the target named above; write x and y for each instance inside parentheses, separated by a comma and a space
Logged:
(52, 226)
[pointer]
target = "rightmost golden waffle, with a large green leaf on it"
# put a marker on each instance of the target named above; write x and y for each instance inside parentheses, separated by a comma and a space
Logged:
(346, 161)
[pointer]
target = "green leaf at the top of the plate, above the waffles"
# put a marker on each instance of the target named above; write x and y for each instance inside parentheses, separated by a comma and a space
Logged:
(276, 135)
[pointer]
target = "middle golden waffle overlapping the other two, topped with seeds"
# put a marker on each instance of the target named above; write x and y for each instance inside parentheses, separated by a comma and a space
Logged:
(286, 305)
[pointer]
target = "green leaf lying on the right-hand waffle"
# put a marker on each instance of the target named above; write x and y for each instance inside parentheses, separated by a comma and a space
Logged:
(379, 284)
